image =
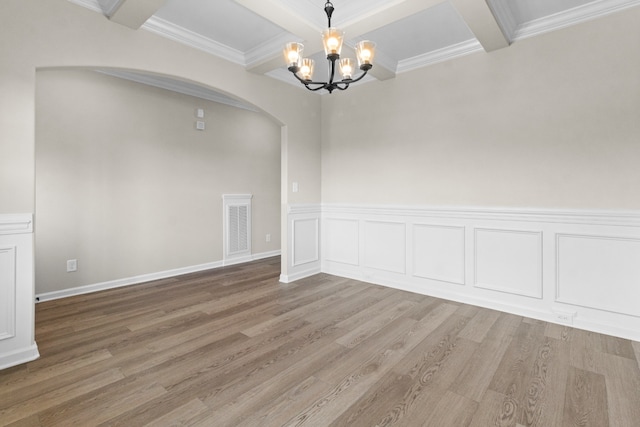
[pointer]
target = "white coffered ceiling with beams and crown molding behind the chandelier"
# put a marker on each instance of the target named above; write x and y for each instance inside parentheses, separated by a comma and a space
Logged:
(409, 33)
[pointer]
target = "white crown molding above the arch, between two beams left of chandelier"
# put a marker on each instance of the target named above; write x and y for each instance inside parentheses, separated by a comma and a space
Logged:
(182, 35)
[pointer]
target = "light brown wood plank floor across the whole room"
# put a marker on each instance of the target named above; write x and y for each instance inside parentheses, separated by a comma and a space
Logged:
(233, 347)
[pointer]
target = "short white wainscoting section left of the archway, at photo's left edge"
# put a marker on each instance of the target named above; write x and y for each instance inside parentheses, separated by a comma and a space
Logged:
(17, 343)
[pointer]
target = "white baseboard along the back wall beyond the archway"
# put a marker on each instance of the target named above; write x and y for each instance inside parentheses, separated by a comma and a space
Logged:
(143, 278)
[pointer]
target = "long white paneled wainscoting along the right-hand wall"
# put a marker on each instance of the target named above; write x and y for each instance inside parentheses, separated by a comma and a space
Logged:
(580, 268)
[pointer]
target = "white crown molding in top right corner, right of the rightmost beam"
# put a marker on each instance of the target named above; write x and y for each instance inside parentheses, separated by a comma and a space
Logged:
(571, 17)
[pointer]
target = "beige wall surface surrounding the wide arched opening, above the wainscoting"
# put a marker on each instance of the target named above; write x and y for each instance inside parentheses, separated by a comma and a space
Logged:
(36, 34)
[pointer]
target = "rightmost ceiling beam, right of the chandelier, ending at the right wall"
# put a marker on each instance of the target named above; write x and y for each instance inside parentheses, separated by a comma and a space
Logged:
(482, 23)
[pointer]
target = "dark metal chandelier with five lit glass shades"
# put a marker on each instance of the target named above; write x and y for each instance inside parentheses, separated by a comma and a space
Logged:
(332, 38)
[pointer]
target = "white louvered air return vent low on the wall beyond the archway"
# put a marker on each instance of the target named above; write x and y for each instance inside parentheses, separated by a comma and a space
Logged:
(237, 227)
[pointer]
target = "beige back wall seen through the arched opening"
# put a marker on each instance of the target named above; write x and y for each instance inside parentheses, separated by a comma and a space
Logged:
(127, 186)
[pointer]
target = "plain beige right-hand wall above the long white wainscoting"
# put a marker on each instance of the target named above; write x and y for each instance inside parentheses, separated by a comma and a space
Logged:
(552, 121)
